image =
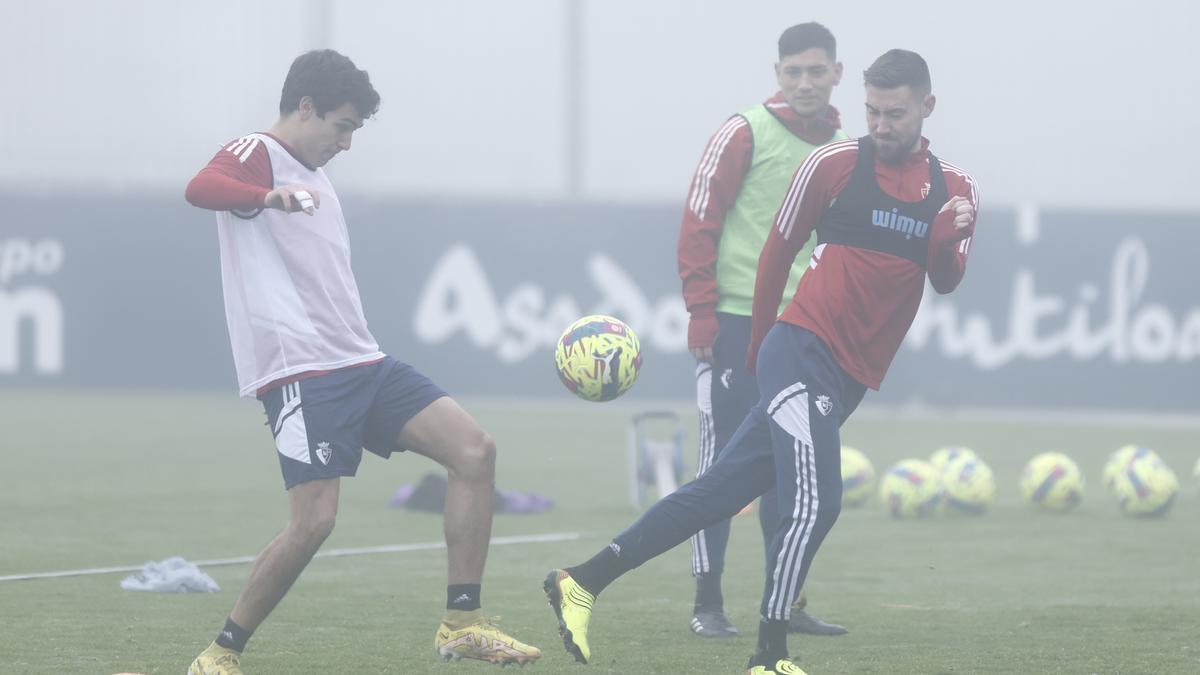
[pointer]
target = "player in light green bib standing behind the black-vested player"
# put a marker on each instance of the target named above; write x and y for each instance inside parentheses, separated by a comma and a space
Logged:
(742, 180)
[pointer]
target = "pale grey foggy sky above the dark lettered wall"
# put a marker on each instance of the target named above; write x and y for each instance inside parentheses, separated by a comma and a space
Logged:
(1064, 104)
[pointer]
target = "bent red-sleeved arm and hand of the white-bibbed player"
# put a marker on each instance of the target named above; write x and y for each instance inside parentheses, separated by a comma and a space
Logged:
(239, 180)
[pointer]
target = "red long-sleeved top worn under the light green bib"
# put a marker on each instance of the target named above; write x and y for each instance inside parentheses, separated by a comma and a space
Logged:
(715, 188)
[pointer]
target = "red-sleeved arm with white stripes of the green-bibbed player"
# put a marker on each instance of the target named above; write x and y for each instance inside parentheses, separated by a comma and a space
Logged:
(715, 187)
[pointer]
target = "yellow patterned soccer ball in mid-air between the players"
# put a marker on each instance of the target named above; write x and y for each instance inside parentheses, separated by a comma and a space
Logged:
(598, 359)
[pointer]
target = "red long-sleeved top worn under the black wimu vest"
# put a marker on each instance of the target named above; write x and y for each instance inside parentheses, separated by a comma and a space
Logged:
(861, 302)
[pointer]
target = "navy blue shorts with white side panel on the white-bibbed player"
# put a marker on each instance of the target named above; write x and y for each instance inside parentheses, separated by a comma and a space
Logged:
(322, 425)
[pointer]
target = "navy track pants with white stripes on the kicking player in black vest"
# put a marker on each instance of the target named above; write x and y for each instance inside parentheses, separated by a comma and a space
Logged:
(789, 441)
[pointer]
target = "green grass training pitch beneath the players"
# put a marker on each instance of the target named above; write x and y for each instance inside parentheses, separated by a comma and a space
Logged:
(93, 480)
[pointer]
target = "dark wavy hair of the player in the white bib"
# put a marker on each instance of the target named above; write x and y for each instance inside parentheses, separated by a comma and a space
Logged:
(332, 80)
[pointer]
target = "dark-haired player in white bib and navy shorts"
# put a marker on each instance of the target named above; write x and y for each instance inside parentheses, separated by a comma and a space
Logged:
(302, 347)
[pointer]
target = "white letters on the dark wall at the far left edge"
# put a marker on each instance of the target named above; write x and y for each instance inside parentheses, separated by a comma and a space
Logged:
(28, 309)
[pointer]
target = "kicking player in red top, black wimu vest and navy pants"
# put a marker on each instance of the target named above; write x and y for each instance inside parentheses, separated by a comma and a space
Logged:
(889, 214)
